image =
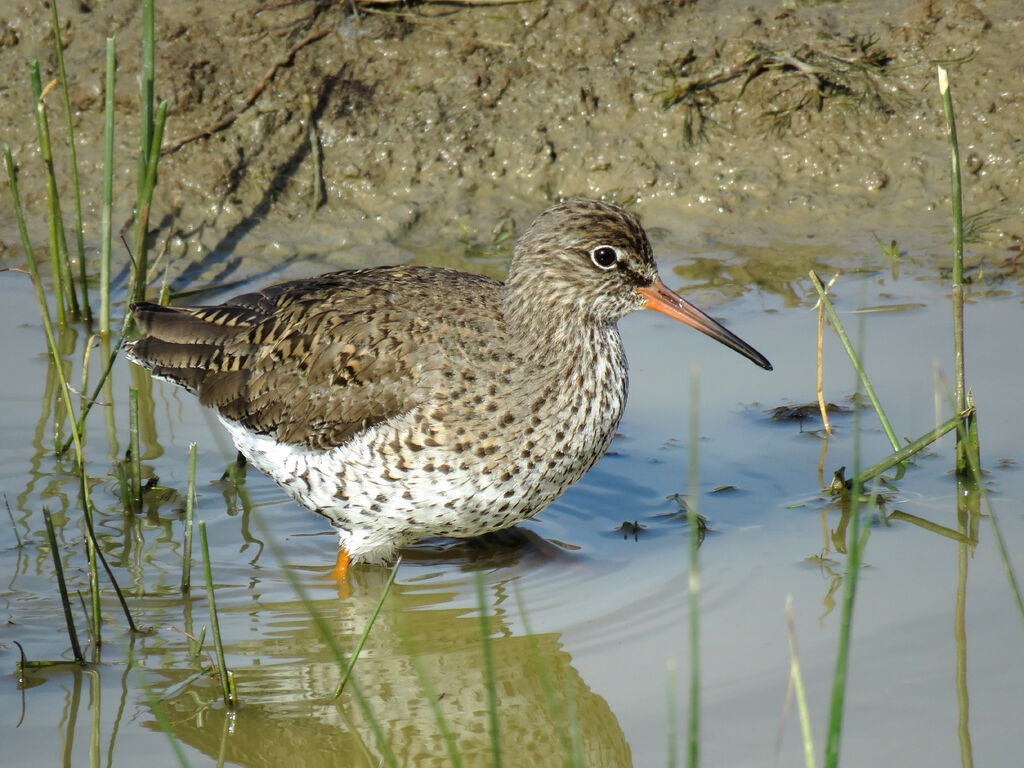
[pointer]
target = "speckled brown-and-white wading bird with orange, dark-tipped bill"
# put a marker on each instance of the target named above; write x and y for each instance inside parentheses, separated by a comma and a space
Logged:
(406, 402)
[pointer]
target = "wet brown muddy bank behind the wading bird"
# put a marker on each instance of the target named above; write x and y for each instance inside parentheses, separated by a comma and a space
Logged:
(442, 129)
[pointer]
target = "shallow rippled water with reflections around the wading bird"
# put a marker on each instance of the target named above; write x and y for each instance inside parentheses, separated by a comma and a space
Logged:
(608, 610)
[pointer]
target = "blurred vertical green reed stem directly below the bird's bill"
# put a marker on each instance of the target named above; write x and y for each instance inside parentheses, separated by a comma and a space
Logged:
(694, 533)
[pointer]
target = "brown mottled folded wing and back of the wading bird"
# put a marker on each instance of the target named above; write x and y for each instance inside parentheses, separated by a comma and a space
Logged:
(315, 362)
